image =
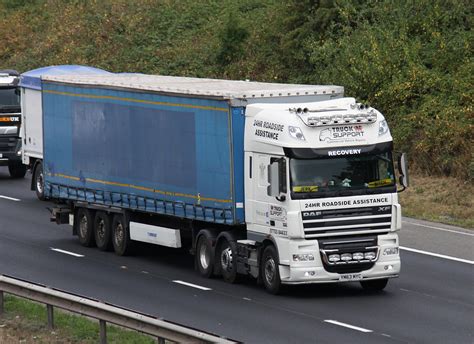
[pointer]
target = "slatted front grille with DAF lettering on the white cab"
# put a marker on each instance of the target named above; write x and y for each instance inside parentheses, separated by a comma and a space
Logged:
(349, 221)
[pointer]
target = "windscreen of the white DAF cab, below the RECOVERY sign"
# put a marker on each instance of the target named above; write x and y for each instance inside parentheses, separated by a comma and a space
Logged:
(342, 176)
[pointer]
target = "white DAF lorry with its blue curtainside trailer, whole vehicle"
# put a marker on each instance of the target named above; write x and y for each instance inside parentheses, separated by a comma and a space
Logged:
(290, 184)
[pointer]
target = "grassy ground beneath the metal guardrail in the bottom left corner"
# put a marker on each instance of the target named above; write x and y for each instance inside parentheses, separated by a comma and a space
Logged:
(25, 322)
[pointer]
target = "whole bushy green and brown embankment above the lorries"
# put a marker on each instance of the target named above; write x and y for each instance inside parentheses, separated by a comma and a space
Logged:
(411, 59)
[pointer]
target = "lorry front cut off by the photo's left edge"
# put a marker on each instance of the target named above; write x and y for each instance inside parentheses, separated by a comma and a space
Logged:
(10, 123)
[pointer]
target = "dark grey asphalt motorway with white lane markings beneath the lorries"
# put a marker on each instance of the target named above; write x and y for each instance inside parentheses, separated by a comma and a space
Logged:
(431, 302)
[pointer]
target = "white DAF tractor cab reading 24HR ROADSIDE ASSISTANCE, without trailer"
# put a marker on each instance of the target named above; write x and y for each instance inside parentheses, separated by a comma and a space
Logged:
(321, 185)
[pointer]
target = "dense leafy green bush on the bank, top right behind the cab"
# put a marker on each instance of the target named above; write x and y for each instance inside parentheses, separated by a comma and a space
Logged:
(412, 60)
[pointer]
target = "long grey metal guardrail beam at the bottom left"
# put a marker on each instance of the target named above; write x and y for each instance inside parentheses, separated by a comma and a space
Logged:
(107, 313)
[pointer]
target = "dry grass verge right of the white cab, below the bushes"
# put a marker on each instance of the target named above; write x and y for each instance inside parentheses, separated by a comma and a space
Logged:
(440, 199)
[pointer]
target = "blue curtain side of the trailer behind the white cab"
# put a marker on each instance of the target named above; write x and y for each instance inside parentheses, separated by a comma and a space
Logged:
(139, 150)
